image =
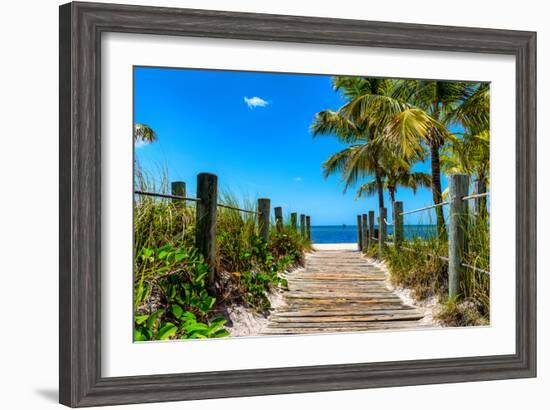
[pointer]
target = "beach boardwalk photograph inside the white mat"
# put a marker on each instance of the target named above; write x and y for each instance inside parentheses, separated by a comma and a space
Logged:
(273, 204)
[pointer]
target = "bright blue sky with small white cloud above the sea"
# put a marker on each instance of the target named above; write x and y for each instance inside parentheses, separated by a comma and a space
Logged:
(252, 130)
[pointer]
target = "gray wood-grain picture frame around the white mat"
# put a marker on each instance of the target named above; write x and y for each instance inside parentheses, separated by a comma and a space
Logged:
(81, 27)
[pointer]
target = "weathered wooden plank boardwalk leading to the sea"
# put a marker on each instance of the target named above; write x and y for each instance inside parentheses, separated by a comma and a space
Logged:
(339, 291)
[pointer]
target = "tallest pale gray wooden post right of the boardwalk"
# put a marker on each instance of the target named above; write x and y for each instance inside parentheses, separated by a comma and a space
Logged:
(458, 214)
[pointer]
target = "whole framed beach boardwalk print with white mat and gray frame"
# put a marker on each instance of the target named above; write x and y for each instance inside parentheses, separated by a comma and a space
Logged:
(262, 204)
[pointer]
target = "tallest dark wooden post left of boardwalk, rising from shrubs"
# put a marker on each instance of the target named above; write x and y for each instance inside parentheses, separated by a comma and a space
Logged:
(205, 237)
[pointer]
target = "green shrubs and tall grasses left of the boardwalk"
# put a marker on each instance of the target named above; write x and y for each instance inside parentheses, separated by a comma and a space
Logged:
(172, 296)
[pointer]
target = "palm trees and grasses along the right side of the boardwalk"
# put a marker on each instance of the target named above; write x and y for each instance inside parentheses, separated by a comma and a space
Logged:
(390, 126)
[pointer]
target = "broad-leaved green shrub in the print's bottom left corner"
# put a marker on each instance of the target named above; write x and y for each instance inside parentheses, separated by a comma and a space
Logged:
(171, 298)
